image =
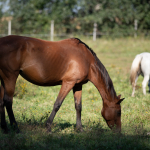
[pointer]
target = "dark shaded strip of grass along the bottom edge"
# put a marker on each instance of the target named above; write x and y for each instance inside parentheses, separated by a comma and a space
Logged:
(93, 137)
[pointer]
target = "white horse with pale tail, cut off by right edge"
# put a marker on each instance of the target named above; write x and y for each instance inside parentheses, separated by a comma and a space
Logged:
(140, 66)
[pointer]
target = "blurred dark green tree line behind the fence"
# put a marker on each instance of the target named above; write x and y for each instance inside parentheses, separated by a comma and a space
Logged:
(77, 16)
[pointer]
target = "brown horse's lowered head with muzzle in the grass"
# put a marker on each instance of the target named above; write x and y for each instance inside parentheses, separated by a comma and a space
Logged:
(112, 114)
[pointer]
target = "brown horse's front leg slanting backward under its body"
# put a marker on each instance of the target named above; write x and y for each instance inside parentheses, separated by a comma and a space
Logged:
(65, 88)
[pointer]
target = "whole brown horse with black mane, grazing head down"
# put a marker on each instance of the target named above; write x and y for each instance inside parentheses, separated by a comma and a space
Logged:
(70, 63)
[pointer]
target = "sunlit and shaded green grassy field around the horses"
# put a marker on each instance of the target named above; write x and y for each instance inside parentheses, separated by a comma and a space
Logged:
(32, 106)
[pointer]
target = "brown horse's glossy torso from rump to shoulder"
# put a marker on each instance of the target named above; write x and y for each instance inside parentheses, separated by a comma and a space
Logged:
(47, 63)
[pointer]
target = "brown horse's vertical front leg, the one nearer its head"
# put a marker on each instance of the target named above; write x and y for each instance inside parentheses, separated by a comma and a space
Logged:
(77, 91)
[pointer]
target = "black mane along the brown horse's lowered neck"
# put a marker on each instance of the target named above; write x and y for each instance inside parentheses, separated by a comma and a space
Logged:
(102, 69)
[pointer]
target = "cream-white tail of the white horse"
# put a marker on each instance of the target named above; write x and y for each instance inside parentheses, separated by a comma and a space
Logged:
(135, 68)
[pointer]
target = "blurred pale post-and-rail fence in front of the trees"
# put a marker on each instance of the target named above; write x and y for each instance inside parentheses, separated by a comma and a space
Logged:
(51, 36)
